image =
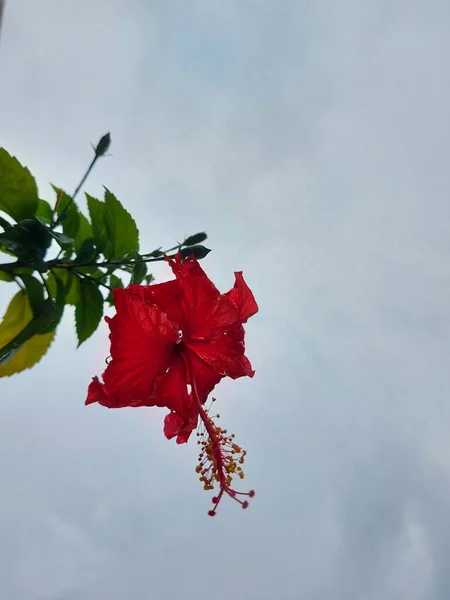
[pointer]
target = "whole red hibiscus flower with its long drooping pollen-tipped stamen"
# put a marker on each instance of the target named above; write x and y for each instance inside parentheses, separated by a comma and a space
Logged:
(171, 343)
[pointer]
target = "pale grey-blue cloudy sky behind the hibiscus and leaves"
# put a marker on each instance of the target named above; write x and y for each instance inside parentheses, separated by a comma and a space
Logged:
(311, 141)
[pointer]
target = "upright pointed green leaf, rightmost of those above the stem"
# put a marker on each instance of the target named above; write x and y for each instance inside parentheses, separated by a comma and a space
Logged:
(121, 228)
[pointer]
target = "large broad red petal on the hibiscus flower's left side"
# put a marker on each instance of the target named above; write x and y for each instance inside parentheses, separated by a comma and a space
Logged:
(142, 344)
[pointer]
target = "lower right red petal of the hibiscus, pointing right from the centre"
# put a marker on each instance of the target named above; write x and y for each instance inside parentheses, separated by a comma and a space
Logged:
(226, 355)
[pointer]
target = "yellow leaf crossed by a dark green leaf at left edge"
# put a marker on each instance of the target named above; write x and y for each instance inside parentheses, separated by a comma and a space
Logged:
(19, 314)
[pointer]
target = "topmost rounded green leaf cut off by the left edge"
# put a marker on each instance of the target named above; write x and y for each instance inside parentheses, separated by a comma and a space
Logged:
(18, 191)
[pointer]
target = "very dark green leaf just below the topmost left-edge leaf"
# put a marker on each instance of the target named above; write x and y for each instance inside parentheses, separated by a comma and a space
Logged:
(28, 240)
